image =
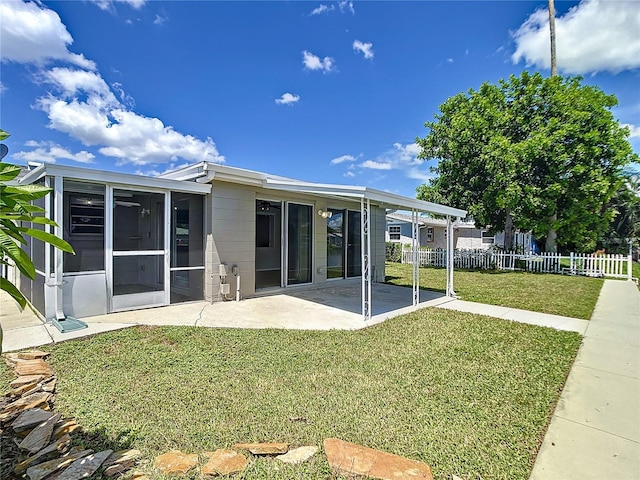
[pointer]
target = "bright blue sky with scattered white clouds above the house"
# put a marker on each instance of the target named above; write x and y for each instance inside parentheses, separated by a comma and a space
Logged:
(330, 92)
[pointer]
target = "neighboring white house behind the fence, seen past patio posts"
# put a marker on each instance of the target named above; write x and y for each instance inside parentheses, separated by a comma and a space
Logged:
(433, 233)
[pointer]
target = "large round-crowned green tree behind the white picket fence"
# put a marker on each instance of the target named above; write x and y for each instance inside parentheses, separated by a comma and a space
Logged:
(532, 153)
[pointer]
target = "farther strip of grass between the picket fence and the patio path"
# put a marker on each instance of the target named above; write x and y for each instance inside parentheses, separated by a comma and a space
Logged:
(570, 296)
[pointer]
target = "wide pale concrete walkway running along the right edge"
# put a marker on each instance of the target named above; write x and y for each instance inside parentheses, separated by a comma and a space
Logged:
(595, 430)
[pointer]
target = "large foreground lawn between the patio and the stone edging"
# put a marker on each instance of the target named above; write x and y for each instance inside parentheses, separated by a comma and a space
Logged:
(468, 395)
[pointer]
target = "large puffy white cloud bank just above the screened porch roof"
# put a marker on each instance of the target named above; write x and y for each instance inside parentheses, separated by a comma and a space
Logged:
(87, 110)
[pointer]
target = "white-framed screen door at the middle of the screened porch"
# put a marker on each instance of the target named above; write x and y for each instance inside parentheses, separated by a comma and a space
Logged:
(139, 270)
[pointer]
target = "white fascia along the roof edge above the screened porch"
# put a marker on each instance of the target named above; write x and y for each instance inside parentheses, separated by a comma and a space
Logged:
(122, 179)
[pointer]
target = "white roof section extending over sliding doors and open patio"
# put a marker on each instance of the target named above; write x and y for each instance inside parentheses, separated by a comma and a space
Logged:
(207, 172)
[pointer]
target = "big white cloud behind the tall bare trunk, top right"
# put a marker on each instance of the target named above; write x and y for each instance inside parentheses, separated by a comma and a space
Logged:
(595, 35)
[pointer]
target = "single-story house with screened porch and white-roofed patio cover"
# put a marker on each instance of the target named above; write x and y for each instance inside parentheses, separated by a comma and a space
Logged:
(204, 232)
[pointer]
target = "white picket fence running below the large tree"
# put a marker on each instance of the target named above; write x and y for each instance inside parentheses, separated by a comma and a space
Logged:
(617, 266)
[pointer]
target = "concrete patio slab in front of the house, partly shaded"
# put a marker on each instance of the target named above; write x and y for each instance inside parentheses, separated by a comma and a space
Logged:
(327, 308)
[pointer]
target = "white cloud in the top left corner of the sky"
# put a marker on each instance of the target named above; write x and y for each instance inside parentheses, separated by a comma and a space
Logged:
(30, 33)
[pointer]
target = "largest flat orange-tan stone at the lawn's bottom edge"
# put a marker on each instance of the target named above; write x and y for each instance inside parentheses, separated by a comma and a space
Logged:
(355, 459)
